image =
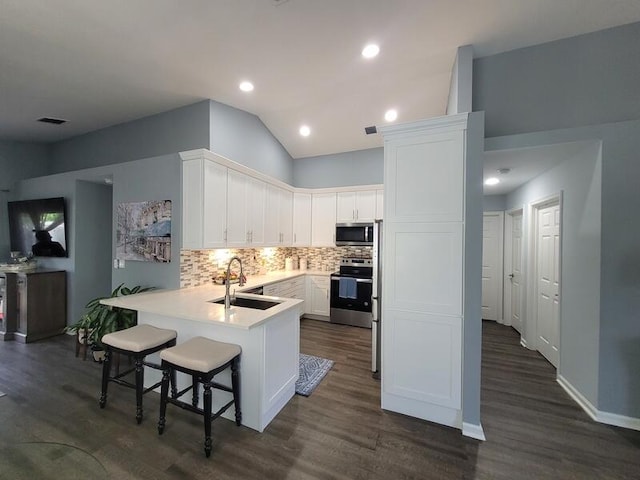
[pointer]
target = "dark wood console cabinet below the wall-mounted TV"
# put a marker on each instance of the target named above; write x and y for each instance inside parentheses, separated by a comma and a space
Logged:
(34, 304)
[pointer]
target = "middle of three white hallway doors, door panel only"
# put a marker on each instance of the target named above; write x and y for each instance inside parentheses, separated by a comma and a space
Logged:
(514, 272)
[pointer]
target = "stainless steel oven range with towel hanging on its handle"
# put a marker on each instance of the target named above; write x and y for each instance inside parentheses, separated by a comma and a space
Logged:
(351, 291)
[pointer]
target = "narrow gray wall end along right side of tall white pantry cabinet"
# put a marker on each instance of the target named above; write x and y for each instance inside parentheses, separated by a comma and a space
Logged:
(472, 327)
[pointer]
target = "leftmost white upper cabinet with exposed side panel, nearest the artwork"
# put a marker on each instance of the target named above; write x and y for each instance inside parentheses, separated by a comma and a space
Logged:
(204, 204)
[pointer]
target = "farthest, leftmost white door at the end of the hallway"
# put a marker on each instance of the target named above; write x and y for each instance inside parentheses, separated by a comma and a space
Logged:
(492, 246)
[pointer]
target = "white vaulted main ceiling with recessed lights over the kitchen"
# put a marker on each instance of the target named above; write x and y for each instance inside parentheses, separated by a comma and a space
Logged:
(98, 63)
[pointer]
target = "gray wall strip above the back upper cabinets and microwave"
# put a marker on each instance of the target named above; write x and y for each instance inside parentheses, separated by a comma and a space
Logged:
(360, 167)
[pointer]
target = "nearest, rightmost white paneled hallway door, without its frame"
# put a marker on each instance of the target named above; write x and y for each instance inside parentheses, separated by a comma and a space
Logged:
(548, 283)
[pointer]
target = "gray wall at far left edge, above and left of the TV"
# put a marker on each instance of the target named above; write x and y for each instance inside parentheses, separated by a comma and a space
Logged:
(17, 161)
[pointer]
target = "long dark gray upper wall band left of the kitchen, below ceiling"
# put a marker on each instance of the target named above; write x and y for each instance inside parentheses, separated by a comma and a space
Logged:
(177, 130)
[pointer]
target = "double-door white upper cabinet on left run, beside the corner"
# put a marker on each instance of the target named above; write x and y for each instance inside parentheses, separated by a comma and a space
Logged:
(279, 213)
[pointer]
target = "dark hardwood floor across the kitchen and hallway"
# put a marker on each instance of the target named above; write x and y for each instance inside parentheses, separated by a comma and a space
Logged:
(534, 430)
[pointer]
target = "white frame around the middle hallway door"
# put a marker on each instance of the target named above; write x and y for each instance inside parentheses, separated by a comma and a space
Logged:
(508, 267)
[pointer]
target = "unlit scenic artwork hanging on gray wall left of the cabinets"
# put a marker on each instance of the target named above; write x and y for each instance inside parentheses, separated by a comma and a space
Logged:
(143, 231)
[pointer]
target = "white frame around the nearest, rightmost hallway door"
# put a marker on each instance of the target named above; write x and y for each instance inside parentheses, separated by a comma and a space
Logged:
(532, 271)
